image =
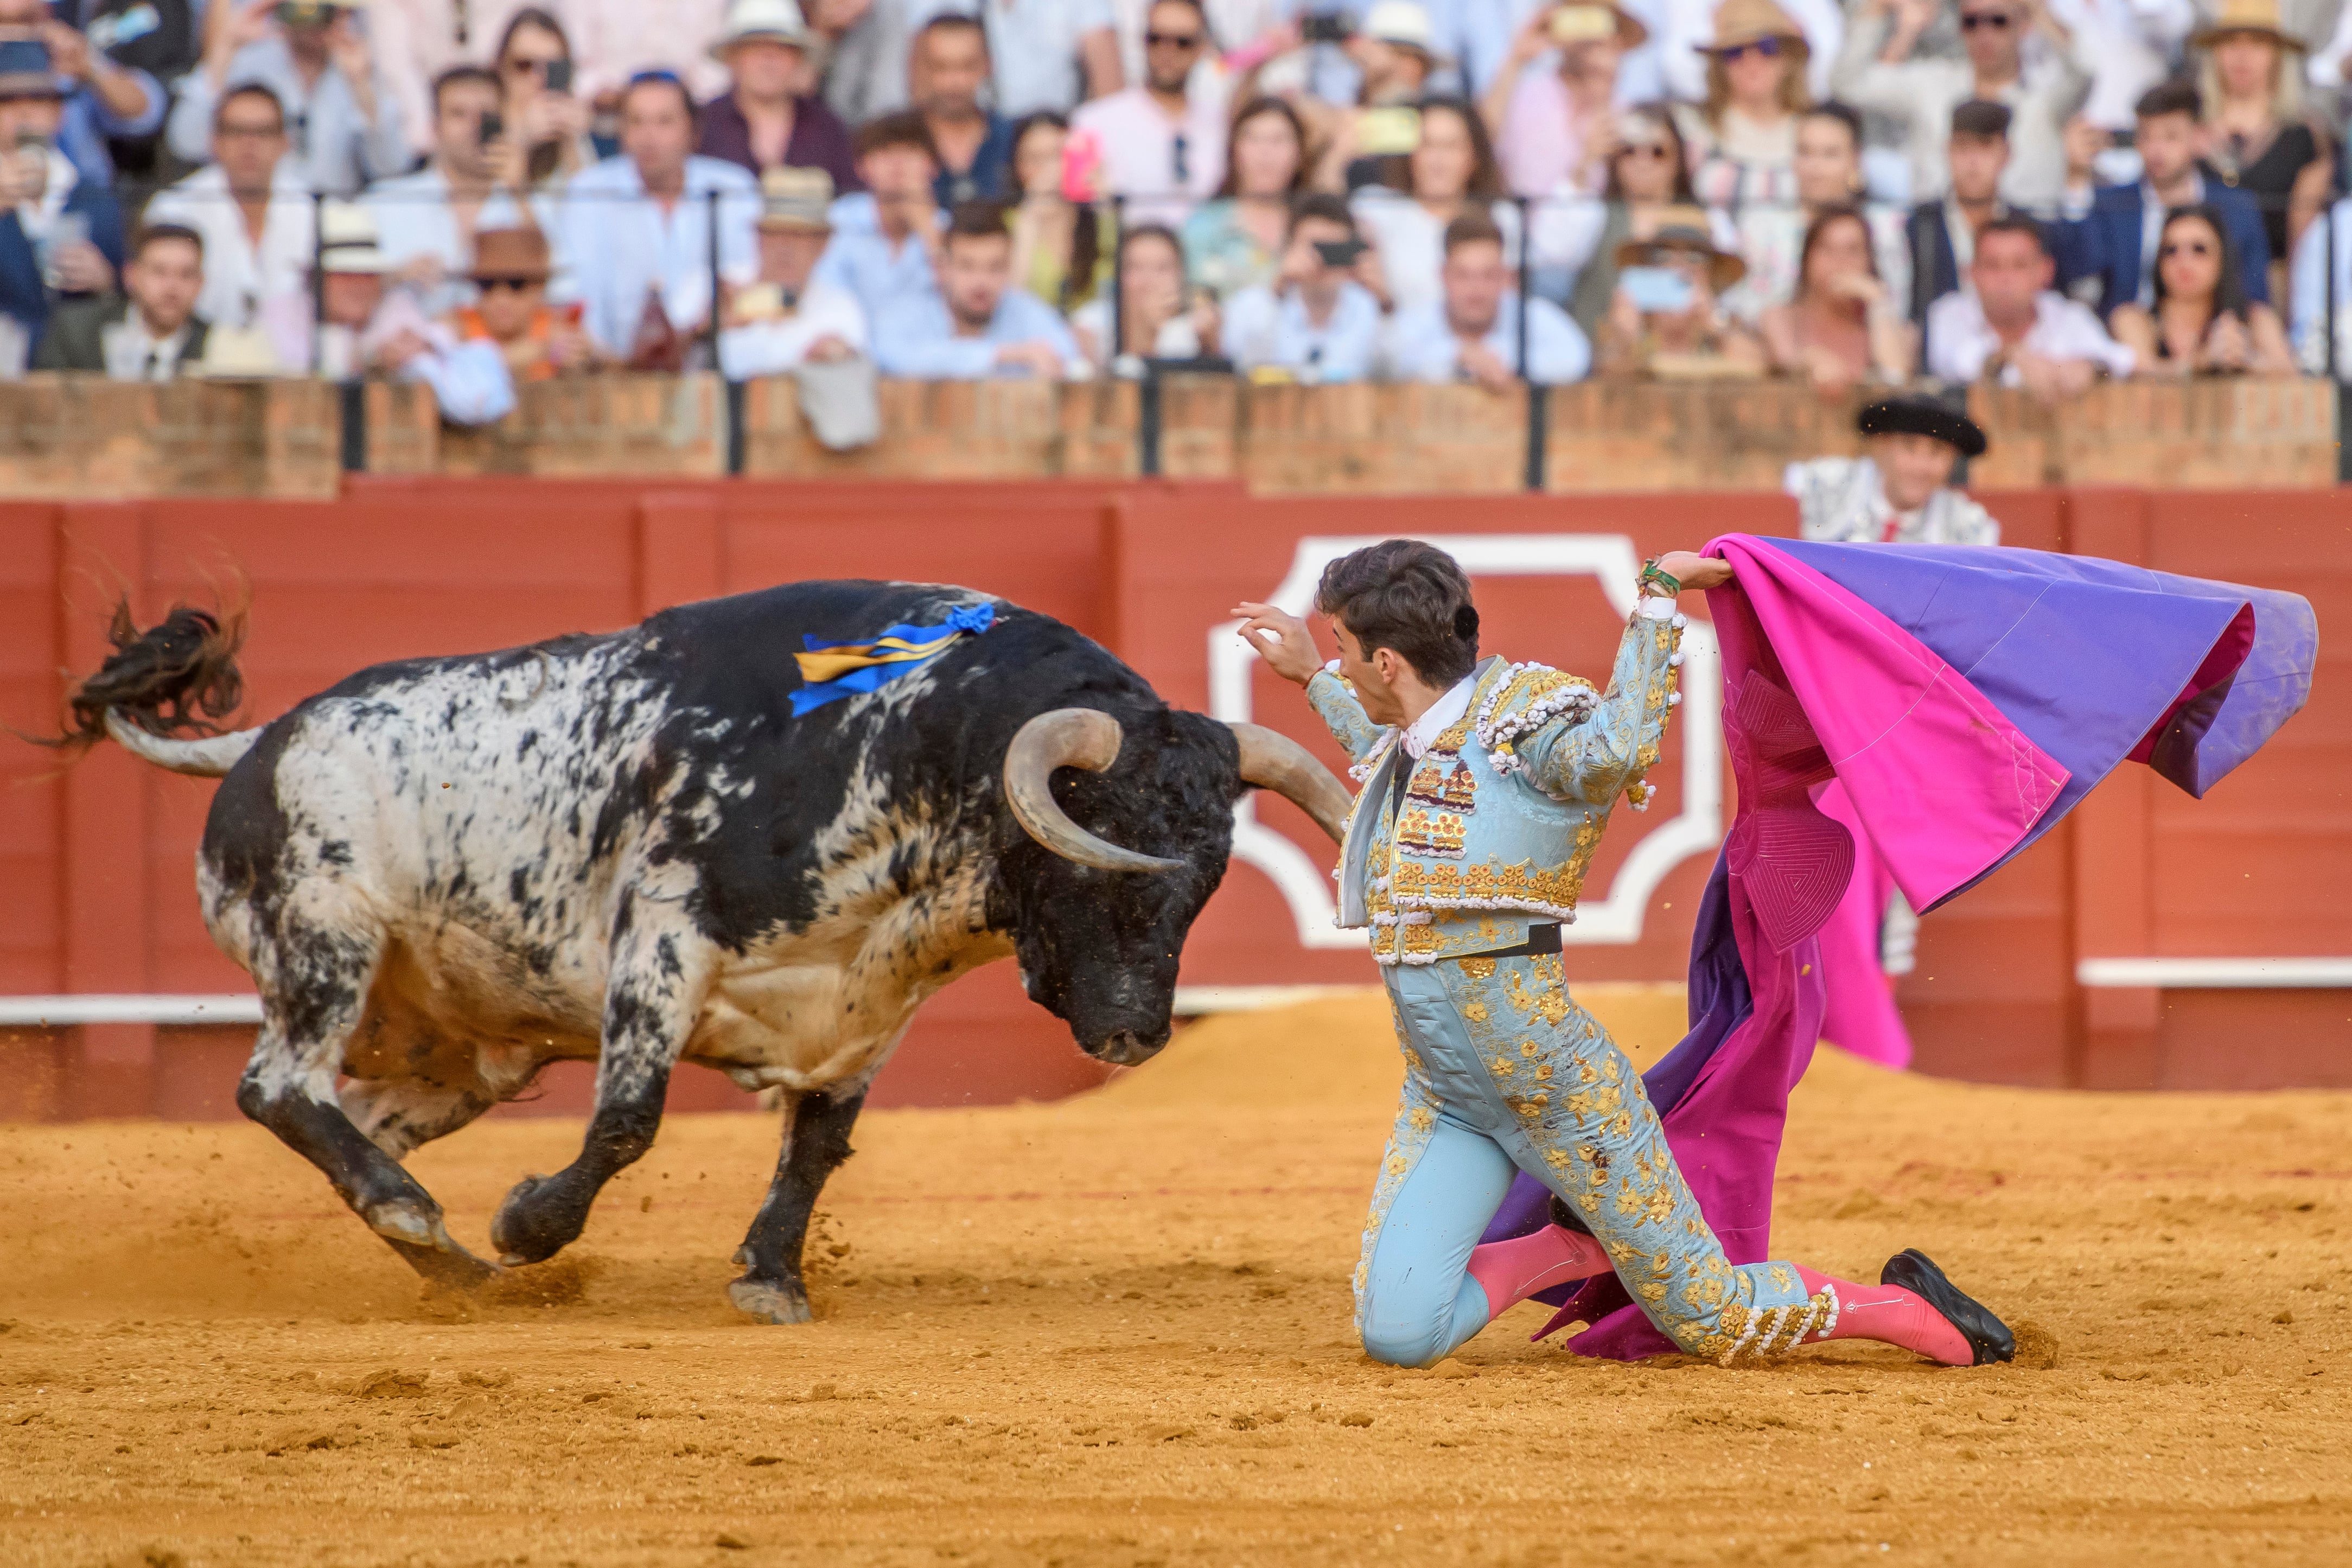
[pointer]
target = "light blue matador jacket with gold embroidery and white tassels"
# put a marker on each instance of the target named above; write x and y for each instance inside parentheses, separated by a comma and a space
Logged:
(1506, 808)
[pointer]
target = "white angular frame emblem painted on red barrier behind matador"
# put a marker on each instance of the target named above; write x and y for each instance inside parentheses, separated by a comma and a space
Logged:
(1610, 558)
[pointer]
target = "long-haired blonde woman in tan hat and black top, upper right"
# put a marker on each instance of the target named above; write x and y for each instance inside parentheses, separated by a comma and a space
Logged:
(2257, 130)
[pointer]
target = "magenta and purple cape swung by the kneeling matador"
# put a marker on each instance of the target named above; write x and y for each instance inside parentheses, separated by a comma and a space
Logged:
(2078, 659)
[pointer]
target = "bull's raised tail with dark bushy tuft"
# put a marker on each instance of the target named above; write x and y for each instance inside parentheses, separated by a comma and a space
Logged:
(161, 692)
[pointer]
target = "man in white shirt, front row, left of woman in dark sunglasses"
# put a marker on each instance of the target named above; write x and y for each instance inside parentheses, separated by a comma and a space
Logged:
(2014, 328)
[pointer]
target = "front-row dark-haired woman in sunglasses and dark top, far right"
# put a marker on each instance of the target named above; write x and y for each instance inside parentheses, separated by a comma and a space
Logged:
(2203, 323)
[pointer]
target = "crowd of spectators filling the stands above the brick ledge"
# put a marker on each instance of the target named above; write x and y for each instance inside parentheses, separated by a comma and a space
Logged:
(1840, 192)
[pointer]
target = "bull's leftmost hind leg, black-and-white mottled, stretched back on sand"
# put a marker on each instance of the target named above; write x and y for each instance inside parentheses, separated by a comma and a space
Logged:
(314, 984)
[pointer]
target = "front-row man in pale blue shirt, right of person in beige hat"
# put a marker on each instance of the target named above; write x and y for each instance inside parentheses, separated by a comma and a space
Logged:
(977, 326)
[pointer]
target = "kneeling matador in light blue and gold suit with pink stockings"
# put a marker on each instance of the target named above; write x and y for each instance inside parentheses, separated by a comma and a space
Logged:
(1485, 793)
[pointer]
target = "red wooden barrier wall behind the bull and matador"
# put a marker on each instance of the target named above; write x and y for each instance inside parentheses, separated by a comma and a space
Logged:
(95, 862)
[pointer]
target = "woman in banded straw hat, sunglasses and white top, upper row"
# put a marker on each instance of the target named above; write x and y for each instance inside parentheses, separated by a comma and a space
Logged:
(1744, 138)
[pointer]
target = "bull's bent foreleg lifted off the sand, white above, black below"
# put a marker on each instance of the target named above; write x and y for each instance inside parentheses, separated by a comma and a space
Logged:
(660, 972)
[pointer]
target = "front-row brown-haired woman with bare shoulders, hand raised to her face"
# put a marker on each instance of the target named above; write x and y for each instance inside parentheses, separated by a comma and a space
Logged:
(1843, 326)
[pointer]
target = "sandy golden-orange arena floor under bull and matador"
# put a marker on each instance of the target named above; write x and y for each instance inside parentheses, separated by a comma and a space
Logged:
(1116, 1332)
